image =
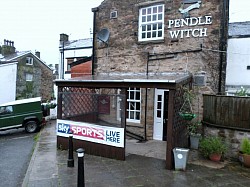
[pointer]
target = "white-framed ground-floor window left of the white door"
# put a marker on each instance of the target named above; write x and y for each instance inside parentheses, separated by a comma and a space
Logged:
(134, 105)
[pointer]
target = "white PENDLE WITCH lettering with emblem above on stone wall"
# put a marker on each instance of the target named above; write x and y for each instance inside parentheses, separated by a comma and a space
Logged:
(190, 22)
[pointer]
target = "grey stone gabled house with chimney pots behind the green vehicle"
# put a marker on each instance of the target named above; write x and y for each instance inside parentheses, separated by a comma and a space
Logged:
(33, 77)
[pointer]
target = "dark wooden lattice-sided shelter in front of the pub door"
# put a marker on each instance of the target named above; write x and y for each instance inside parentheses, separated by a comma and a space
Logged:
(88, 106)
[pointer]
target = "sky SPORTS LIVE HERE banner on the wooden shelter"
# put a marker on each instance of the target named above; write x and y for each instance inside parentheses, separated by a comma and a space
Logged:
(93, 133)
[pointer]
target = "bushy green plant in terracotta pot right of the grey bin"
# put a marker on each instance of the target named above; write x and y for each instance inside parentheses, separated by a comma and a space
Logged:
(213, 147)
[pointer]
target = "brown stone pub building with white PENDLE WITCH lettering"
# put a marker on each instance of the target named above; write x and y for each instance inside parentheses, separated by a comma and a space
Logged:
(159, 36)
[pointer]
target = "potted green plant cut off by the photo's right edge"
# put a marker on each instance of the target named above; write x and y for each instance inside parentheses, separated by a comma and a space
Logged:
(245, 152)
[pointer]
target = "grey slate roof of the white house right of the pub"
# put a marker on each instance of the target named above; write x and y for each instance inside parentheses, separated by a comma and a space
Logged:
(239, 29)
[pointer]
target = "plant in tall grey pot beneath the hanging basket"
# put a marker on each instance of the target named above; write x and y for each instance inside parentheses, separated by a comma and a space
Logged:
(194, 128)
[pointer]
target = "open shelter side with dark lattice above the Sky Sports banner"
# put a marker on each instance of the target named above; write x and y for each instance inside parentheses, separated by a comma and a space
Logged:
(98, 106)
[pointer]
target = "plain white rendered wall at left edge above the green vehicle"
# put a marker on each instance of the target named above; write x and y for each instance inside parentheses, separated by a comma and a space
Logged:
(8, 82)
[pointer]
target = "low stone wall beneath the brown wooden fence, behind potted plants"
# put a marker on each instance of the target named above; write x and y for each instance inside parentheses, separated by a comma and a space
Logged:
(232, 137)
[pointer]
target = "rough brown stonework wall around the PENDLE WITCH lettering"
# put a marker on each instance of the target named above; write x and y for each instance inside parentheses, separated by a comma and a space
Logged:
(124, 53)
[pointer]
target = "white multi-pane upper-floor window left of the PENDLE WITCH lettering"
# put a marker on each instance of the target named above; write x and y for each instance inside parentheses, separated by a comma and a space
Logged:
(151, 23)
